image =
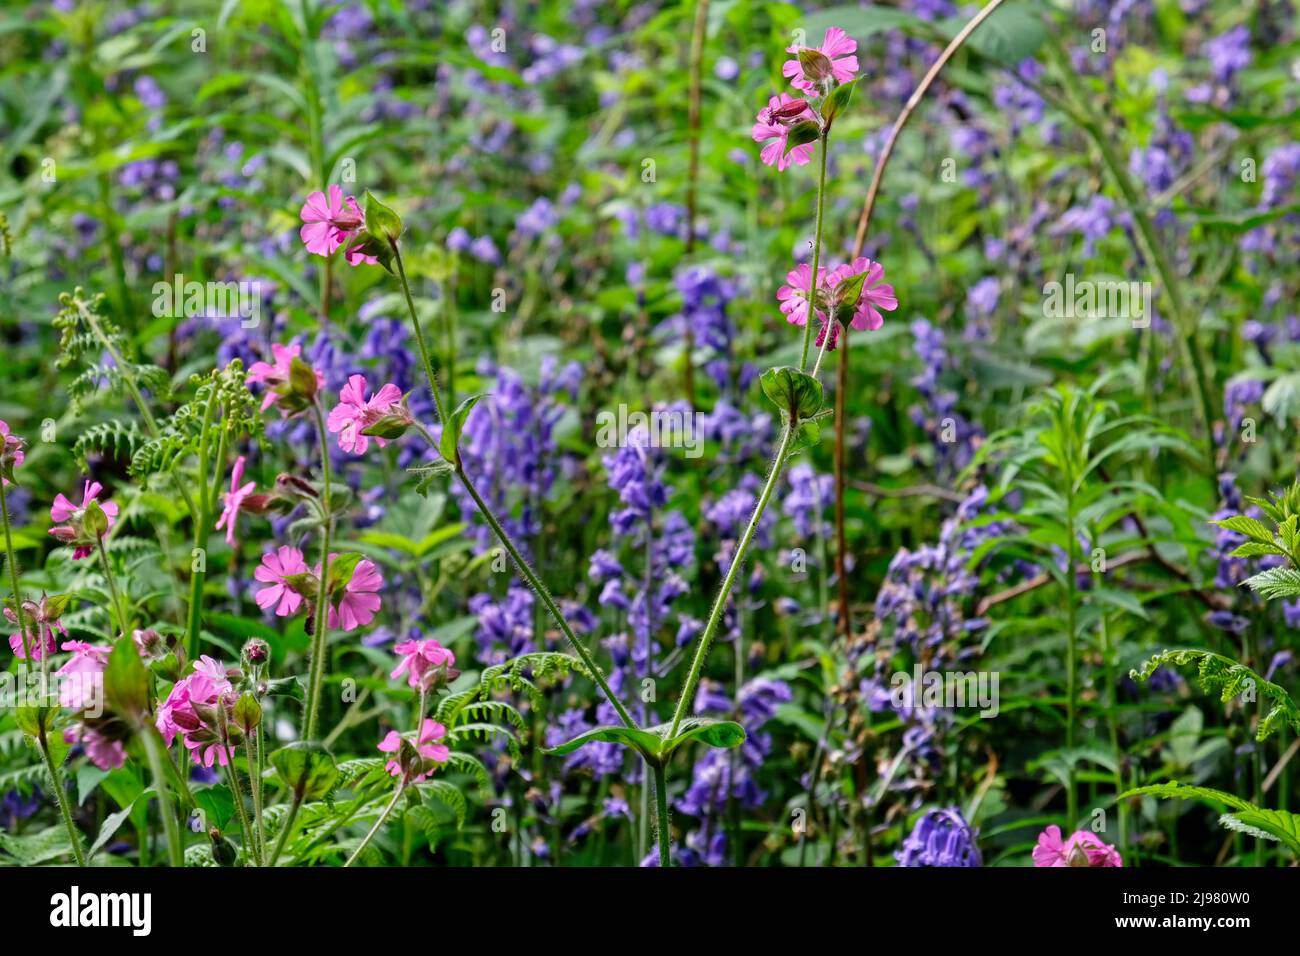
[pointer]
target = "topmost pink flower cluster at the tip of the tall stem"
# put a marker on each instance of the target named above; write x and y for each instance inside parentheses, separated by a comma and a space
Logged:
(830, 66)
